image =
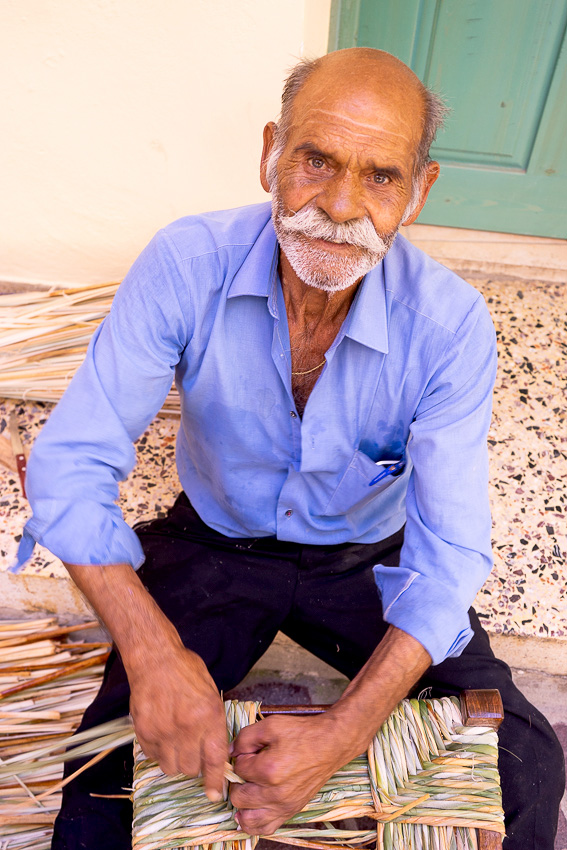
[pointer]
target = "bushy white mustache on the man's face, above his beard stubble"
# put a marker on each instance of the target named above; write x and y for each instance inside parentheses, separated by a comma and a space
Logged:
(314, 223)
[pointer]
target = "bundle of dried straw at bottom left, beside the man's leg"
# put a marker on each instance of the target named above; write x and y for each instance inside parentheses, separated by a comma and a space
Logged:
(47, 679)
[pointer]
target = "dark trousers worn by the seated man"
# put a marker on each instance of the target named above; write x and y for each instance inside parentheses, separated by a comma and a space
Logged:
(229, 597)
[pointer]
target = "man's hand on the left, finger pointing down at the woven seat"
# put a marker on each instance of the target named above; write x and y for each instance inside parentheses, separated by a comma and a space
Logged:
(179, 717)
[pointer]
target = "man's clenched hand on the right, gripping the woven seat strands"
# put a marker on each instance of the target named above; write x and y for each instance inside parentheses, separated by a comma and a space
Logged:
(285, 761)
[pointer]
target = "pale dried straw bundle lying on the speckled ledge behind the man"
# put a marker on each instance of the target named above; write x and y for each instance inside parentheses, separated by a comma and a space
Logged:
(44, 335)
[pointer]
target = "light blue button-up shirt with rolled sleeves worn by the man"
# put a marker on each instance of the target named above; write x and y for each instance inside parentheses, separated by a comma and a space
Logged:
(409, 377)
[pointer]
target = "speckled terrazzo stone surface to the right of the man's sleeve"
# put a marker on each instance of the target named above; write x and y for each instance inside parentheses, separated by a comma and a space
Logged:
(526, 593)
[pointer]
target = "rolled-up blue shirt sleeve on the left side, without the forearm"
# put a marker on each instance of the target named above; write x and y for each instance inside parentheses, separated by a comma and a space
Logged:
(86, 447)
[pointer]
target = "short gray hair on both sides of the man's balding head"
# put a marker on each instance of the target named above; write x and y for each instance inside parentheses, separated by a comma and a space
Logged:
(435, 112)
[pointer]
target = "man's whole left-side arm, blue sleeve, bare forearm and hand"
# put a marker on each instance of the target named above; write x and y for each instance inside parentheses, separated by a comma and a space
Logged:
(85, 448)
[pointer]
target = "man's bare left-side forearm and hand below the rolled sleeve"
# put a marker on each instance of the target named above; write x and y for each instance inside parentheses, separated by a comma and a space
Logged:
(178, 715)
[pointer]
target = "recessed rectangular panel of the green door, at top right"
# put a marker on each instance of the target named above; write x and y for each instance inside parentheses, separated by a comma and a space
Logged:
(465, 49)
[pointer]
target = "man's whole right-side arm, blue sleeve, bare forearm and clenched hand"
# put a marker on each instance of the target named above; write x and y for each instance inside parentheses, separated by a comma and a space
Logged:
(446, 556)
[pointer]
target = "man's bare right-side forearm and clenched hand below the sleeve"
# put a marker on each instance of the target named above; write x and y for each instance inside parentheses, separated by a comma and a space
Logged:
(286, 760)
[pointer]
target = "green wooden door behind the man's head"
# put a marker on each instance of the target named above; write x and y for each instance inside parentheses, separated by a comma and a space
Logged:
(501, 65)
